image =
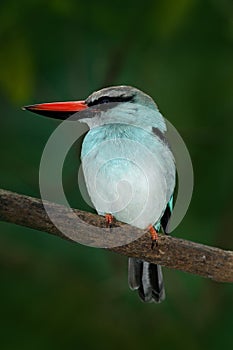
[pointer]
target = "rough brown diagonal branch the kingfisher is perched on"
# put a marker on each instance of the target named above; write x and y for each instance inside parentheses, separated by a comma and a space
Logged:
(171, 252)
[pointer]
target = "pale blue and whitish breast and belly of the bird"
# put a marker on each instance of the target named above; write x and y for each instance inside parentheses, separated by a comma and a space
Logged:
(129, 172)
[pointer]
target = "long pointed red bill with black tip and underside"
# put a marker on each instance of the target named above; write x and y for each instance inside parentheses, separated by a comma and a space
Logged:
(57, 110)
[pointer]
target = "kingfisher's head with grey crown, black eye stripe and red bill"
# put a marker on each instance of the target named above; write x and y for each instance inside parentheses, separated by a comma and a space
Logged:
(116, 104)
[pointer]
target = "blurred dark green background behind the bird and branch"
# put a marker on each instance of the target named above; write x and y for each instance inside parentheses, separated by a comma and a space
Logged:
(56, 294)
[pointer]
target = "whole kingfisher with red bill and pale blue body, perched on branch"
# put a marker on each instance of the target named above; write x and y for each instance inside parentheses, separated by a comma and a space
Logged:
(136, 183)
